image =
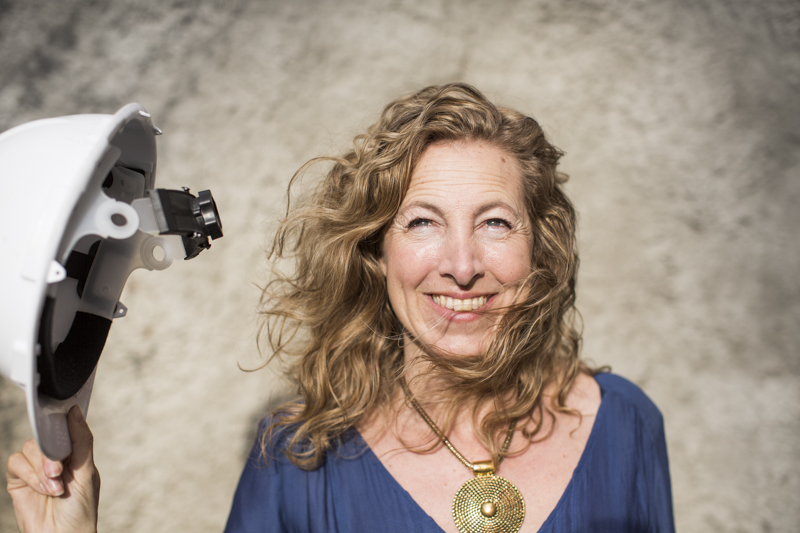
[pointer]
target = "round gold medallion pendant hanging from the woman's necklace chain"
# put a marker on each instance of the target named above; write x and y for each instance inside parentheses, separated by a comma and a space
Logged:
(488, 503)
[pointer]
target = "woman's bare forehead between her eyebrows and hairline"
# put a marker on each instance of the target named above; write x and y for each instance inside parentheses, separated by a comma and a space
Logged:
(466, 169)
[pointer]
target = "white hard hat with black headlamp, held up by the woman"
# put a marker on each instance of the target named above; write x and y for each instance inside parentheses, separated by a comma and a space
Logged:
(80, 213)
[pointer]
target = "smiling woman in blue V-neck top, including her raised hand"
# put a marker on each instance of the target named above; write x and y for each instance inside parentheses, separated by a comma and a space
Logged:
(429, 320)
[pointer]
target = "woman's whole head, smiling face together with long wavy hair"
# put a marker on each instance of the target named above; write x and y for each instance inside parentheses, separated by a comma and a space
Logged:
(433, 181)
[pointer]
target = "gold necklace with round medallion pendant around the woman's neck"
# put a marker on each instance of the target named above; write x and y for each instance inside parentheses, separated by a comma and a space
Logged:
(486, 503)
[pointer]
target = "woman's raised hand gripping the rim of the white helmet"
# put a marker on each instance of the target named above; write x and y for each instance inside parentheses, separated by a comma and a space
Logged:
(55, 497)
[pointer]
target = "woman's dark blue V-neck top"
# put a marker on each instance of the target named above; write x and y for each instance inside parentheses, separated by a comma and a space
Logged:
(621, 483)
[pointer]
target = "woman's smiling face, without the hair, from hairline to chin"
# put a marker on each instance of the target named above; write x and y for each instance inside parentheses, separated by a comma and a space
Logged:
(461, 242)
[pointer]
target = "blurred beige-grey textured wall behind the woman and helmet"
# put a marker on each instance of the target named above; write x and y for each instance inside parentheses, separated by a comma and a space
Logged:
(680, 123)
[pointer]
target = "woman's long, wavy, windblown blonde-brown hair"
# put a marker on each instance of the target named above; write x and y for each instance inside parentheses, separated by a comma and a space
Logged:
(330, 319)
